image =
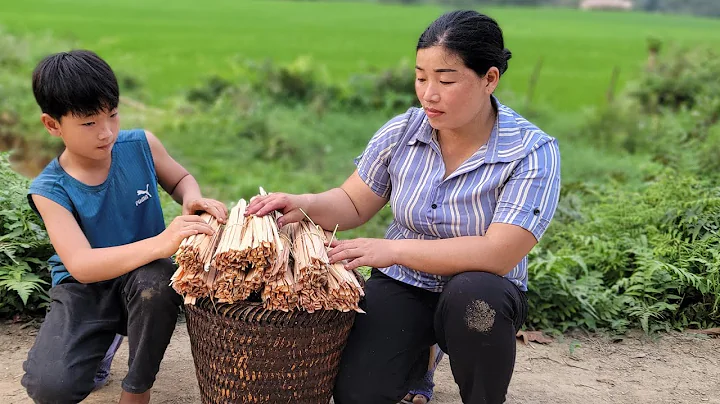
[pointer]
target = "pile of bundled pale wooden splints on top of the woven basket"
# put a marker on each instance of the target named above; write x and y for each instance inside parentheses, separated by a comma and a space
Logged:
(288, 268)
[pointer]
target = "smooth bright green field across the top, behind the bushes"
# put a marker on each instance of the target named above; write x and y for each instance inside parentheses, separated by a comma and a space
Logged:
(173, 45)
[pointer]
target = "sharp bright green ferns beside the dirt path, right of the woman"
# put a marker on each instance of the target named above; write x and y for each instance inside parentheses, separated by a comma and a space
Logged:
(647, 258)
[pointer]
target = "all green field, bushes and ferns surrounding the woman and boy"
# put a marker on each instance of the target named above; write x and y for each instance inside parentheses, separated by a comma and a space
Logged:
(636, 238)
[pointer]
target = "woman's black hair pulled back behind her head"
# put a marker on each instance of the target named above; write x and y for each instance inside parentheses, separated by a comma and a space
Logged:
(476, 38)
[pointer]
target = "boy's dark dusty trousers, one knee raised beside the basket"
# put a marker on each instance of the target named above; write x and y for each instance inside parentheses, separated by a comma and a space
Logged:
(82, 322)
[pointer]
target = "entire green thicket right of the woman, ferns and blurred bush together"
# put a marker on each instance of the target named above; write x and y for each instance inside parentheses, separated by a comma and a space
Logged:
(624, 255)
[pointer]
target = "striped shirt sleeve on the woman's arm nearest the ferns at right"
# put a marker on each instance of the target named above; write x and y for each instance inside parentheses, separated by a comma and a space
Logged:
(530, 196)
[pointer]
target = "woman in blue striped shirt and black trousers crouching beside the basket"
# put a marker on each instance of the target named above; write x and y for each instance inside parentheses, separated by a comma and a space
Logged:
(473, 186)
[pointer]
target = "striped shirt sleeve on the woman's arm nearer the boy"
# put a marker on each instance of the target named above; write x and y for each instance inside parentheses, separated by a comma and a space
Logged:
(373, 163)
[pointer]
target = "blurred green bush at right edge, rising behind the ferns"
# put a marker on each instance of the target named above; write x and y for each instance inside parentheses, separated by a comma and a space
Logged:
(671, 114)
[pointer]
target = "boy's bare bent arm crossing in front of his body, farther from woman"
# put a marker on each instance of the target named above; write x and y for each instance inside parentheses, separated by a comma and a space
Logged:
(88, 265)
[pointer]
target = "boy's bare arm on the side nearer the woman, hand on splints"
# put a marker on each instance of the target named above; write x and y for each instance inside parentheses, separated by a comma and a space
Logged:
(178, 182)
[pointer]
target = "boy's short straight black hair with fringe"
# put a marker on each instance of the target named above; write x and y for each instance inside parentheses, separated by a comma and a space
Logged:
(78, 82)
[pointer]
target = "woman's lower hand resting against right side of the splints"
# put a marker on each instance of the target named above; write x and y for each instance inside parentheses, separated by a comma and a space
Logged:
(372, 252)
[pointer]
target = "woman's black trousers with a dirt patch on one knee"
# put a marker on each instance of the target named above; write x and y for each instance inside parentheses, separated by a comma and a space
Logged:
(474, 320)
